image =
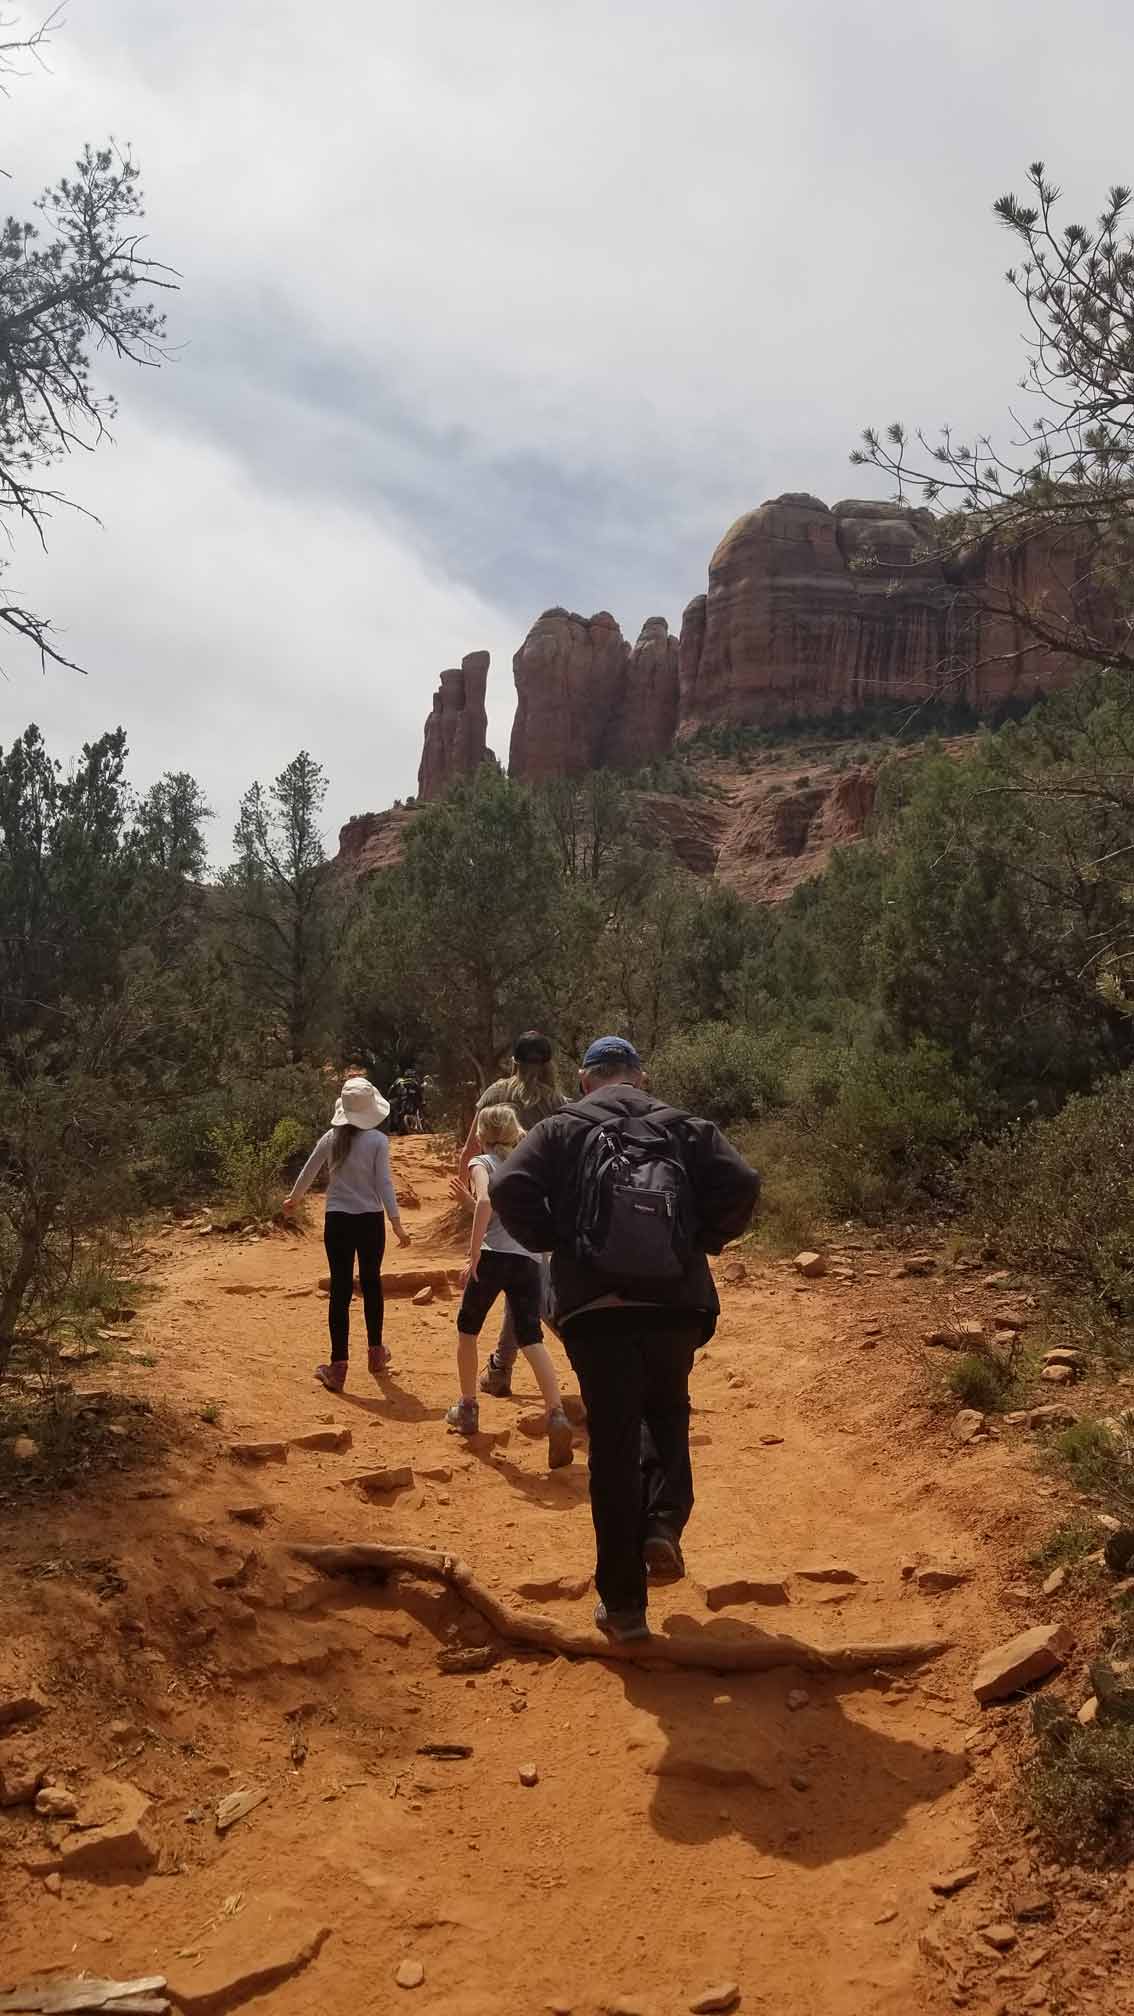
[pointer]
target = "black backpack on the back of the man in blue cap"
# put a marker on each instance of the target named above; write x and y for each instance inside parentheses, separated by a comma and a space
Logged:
(637, 1213)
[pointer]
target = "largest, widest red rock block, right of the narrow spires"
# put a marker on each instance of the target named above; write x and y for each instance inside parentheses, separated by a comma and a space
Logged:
(816, 612)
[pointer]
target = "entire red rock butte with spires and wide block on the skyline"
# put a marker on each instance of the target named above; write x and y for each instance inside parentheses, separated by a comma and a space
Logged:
(812, 612)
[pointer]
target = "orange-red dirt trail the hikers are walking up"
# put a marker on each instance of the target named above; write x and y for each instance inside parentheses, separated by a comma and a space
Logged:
(687, 1828)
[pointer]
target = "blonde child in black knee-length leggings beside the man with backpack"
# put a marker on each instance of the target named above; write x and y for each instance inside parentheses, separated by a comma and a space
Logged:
(499, 1265)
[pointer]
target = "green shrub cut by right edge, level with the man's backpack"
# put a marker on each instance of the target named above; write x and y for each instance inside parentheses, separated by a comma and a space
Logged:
(1058, 1194)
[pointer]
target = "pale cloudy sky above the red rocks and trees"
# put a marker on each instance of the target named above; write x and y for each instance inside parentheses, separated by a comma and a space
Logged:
(503, 303)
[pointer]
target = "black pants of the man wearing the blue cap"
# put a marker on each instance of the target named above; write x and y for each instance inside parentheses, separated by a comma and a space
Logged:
(633, 1370)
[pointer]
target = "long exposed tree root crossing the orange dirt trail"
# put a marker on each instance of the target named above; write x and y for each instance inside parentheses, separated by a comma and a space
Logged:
(758, 1652)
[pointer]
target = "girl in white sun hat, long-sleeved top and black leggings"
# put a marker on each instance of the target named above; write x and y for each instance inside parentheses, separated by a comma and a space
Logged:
(360, 1199)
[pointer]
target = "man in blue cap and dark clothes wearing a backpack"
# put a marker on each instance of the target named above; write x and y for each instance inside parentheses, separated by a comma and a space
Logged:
(631, 1196)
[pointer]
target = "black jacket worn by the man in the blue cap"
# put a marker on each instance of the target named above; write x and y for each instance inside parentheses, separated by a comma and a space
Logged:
(536, 1196)
